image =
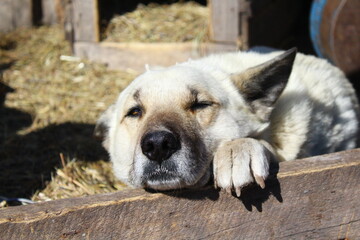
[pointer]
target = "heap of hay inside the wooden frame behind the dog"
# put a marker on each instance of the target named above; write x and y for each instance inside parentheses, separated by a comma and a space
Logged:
(178, 22)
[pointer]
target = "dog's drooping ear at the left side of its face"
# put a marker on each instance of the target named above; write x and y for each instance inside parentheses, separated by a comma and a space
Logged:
(102, 126)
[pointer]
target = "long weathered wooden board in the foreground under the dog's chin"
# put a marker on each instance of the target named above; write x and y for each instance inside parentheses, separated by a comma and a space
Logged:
(314, 198)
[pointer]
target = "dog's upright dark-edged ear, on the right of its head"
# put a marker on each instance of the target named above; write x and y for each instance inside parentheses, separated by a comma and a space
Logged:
(262, 85)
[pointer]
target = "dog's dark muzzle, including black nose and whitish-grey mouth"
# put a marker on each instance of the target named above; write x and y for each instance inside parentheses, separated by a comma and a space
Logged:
(171, 162)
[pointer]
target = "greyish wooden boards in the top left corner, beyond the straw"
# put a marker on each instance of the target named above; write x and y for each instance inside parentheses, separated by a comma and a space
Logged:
(14, 14)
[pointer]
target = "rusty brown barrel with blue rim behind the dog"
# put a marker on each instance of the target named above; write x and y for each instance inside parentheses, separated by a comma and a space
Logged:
(335, 32)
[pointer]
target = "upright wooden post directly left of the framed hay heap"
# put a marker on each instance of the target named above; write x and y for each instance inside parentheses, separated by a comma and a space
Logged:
(86, 20)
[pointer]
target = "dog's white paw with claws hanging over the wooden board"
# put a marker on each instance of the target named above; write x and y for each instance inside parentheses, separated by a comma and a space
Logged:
(240, 162)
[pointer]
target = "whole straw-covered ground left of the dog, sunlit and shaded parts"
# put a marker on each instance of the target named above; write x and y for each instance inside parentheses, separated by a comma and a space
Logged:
(49, 103)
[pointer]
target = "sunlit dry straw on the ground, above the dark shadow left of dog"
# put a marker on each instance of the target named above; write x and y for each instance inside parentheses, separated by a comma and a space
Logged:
(47, 86)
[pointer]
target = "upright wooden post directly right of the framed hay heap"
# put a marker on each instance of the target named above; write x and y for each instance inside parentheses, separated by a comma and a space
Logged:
(224, 20)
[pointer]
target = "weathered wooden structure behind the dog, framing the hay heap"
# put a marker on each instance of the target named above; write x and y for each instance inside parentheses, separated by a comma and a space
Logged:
(234, 24)
